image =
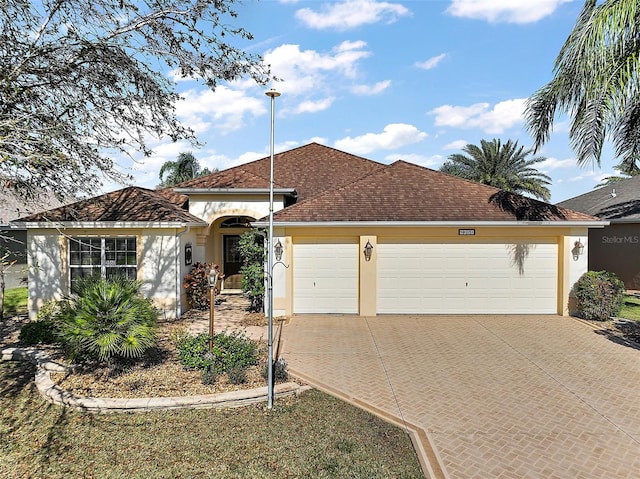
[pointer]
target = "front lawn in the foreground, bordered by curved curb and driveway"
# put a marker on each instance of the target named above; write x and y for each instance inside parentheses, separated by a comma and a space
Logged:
(312, 436)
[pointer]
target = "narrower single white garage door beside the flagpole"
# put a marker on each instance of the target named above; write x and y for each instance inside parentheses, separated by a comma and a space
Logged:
(325, 277)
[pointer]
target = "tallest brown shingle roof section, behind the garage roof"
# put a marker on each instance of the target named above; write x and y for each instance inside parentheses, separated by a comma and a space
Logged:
(310, 170)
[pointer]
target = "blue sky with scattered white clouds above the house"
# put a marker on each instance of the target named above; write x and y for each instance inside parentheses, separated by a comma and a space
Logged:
(386, 80)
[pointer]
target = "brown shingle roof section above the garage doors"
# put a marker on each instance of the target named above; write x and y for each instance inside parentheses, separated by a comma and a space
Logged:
(406, 192)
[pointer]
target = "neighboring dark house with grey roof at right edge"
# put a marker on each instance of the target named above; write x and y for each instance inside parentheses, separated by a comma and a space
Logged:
(615, 248)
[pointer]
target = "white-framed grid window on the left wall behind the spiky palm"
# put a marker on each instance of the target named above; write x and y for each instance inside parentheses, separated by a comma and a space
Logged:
(104, 257)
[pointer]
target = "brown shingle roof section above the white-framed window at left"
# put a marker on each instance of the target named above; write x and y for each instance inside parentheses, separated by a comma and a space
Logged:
(128, 204)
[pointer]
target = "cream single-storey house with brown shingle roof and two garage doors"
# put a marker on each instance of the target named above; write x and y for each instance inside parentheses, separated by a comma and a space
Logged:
(358, 237)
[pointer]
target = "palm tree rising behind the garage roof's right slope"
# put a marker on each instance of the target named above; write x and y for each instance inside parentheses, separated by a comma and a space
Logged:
(503, 166)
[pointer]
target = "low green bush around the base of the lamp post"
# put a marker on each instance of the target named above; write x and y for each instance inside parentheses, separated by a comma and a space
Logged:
(230, 351)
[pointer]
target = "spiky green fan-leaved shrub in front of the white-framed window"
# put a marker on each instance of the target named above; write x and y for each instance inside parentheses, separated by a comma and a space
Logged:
(107, 319)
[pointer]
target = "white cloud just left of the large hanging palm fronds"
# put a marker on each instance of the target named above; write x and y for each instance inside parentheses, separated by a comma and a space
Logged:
(496, 120)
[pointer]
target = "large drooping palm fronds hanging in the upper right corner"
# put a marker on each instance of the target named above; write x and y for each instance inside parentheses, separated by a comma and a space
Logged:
(597, 82)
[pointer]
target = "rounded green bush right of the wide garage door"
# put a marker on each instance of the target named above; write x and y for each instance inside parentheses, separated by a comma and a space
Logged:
(599, 295)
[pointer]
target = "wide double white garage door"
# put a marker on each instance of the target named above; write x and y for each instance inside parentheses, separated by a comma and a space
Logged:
(487, 278)
